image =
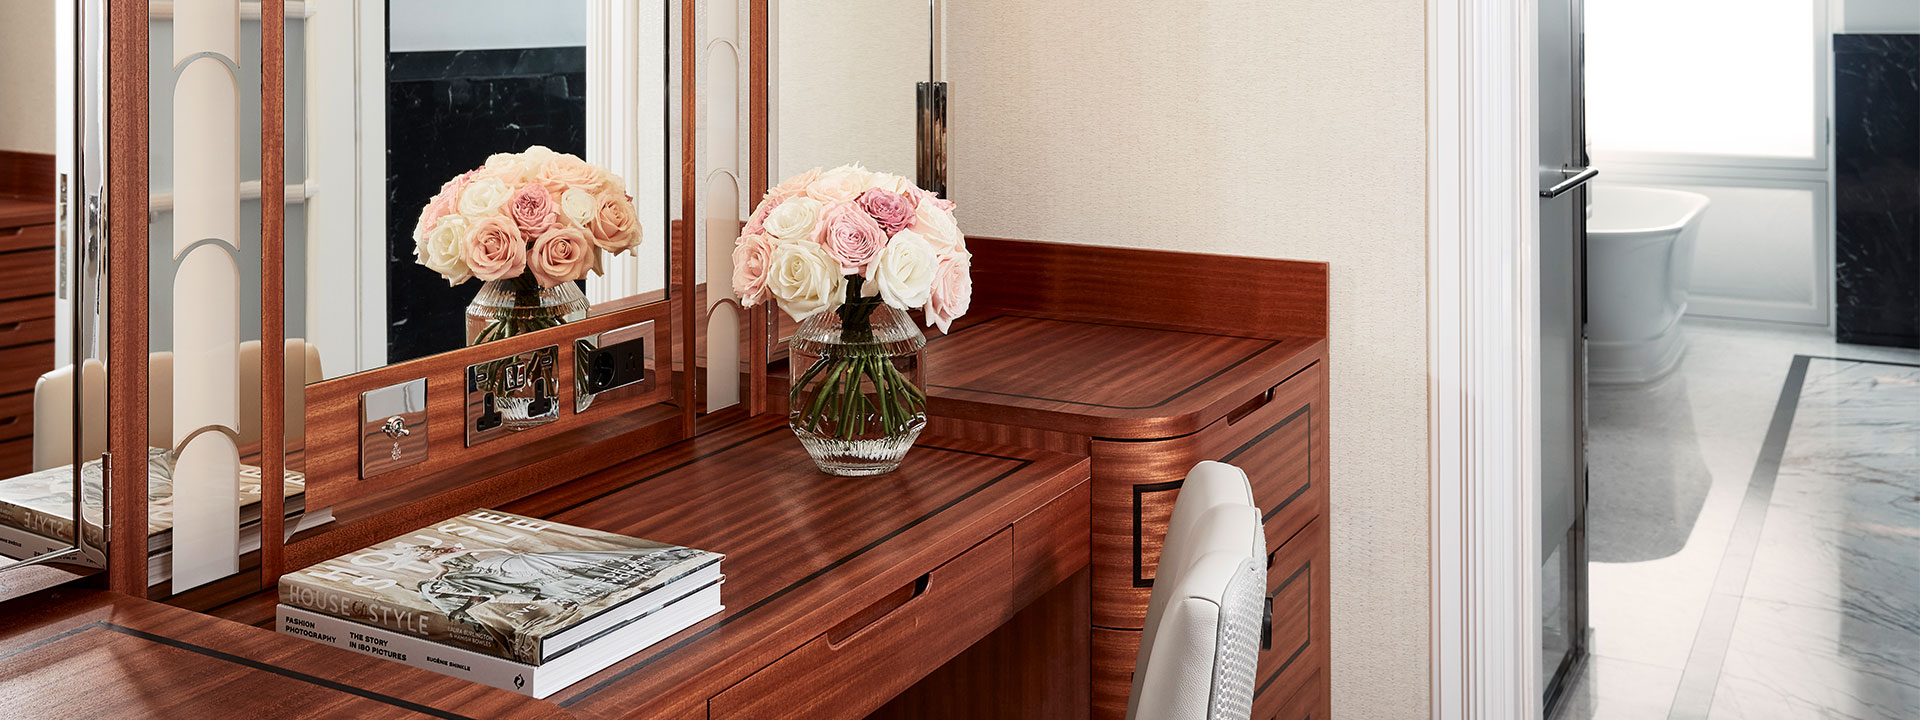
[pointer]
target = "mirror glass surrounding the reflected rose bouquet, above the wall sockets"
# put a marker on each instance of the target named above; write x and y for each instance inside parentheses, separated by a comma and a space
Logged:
(395, 99)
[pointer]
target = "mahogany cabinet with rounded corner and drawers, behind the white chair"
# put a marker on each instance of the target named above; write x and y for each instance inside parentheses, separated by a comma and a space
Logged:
(1147, 406)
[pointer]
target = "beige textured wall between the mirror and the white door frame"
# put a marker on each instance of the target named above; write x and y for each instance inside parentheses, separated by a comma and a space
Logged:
(1255, 128)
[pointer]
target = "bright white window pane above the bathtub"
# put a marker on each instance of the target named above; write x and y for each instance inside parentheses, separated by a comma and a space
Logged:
(1723, 78)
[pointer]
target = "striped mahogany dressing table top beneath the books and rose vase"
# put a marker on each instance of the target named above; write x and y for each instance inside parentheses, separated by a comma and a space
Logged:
(805, 552)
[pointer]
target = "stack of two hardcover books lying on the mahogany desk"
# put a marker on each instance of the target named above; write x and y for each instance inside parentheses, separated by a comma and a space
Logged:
(504, 600)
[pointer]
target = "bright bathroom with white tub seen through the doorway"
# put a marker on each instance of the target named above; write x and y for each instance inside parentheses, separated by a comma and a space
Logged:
(1752, 368)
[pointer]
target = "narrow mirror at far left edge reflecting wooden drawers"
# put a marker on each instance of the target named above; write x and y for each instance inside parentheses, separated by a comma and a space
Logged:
(53, 318)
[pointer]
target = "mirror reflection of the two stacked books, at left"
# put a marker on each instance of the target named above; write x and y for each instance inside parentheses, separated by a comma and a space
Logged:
(37, 512)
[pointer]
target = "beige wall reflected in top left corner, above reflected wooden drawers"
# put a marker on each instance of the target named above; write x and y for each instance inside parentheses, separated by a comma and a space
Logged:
(28, 76)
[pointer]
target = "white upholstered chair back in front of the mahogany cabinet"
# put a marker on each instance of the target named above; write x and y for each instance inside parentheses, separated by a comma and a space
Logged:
(1207, 615)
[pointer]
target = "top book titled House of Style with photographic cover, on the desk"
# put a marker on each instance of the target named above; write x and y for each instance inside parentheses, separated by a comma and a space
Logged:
(492, 583)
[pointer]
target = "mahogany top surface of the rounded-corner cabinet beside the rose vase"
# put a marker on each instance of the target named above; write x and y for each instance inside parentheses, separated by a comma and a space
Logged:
(1101, 379)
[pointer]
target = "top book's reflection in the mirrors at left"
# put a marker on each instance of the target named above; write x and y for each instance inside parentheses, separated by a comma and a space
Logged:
(43, 502)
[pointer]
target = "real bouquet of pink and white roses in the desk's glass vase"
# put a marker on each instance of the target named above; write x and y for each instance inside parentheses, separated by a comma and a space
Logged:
(850, 239)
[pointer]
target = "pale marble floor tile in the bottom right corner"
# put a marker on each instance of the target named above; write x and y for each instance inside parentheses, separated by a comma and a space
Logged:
(1788, 661)
